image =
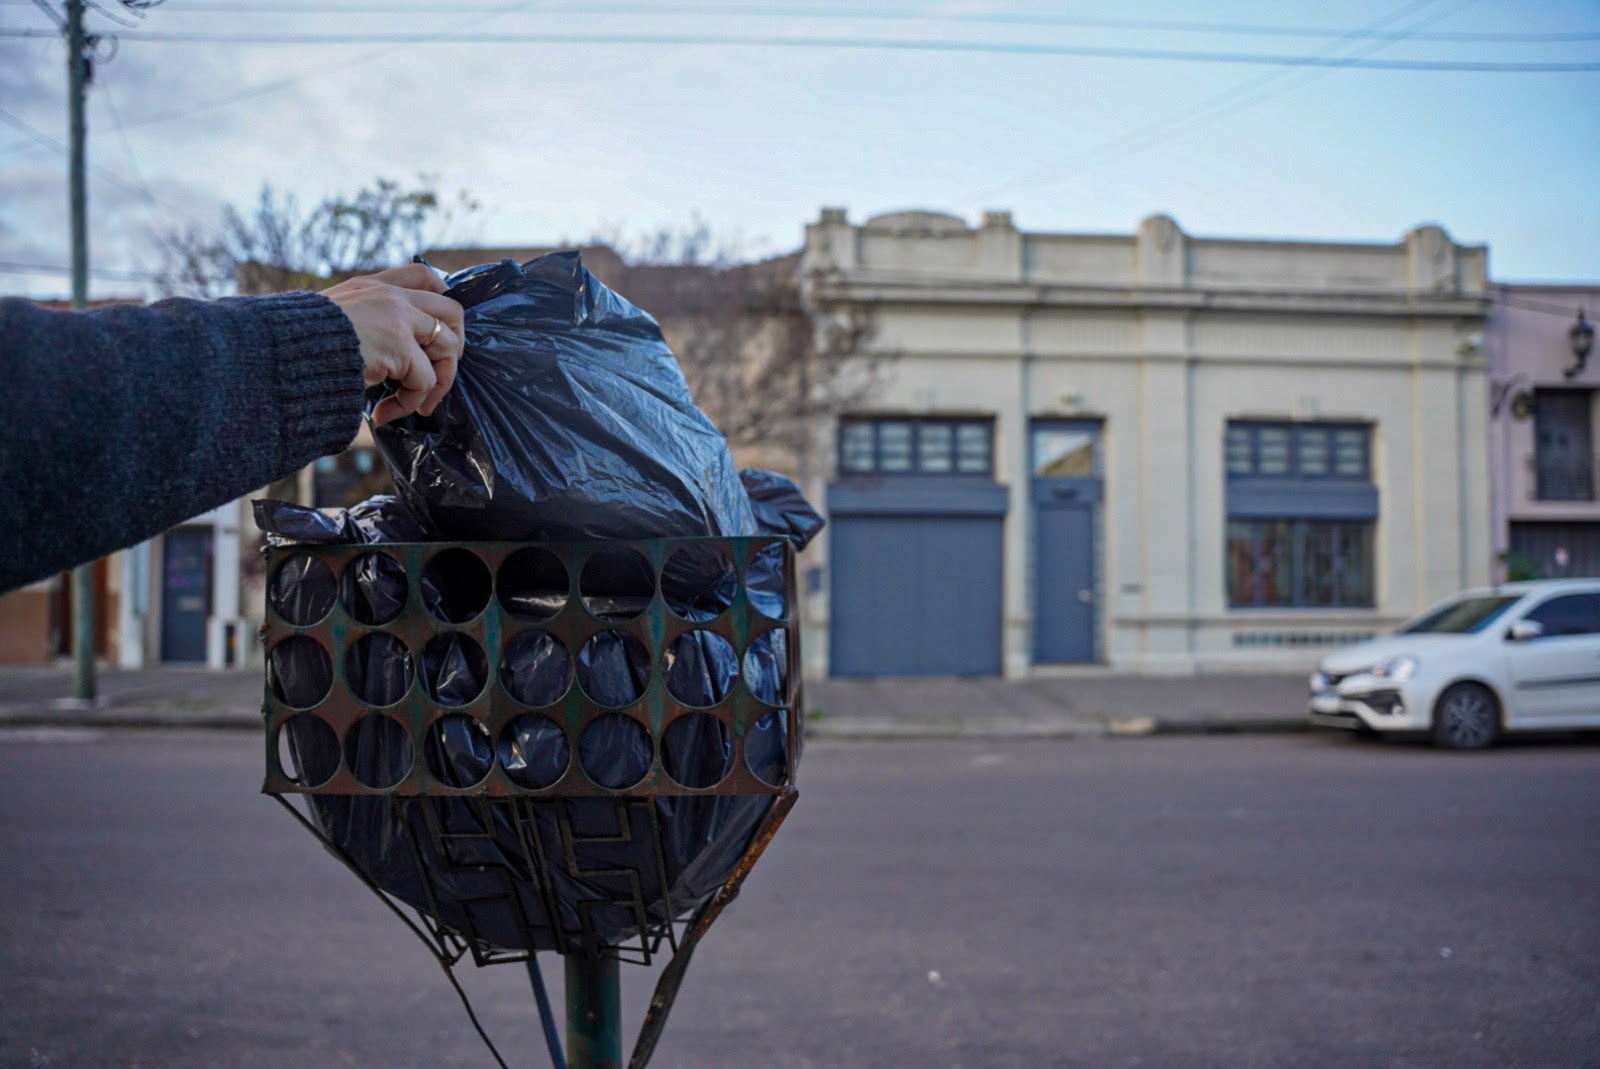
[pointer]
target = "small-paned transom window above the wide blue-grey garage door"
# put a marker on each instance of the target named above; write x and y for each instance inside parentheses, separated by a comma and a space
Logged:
(916, 447)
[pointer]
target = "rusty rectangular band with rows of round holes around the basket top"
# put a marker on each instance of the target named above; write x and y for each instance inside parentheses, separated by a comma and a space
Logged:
(761, 639)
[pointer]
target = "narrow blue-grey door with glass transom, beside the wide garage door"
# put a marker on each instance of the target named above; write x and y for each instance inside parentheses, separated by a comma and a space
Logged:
(1066, 495)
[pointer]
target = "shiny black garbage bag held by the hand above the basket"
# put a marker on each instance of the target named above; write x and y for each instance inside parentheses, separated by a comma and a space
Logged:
(569, 420)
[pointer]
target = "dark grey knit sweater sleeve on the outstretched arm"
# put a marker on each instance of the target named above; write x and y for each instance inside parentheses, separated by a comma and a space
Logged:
(124, 422)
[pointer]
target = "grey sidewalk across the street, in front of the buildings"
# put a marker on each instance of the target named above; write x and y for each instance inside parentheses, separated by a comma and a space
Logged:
(1082, 705)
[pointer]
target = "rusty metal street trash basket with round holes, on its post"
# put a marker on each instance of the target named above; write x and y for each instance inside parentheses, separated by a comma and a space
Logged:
(550, 846)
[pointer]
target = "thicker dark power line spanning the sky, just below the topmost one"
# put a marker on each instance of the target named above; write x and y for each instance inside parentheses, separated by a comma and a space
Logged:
(868, 44)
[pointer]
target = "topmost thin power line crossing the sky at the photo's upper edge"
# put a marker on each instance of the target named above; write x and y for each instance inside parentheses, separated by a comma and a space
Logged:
(810, 12)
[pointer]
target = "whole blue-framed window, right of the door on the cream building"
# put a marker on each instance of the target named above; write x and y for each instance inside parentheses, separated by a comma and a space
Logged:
(1302, 516)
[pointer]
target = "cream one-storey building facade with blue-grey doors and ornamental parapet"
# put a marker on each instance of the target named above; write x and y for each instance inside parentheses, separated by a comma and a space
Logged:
(1150, 452)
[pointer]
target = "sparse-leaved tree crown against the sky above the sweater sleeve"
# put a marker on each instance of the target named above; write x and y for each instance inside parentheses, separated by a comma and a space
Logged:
(281, 246)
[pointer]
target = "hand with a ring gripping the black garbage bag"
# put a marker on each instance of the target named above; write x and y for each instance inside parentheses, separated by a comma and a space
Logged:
(410, 332)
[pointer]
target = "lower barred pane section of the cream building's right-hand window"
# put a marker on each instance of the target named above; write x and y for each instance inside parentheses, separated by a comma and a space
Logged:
(1300, 564)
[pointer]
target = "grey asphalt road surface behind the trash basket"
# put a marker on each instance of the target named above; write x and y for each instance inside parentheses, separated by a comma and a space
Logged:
(1167, 902)
